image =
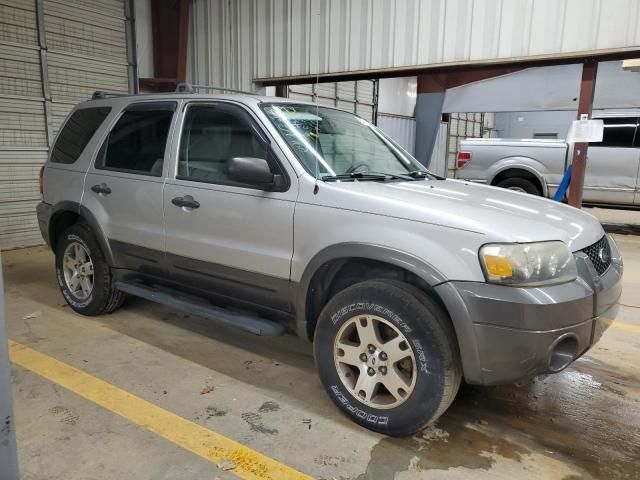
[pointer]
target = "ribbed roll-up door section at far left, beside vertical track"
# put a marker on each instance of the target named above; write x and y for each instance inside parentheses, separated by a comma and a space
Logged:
(23, 128)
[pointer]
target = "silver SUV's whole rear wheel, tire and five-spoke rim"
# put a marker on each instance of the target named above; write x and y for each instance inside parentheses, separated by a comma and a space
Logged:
(84, 275)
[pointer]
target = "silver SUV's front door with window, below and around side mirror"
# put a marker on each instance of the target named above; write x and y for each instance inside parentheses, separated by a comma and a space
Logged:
(233, 241)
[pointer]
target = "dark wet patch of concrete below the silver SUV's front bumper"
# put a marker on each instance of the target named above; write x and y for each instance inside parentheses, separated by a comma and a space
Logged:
(573, 416)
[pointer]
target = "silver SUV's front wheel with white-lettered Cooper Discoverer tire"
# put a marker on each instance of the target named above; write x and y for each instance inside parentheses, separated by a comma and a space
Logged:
(387, 356)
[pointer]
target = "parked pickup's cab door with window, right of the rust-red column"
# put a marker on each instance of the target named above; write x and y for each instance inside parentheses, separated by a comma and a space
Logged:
(612, 165)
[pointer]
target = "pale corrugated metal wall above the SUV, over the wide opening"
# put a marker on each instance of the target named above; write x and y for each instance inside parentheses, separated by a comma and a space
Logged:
(235, 42)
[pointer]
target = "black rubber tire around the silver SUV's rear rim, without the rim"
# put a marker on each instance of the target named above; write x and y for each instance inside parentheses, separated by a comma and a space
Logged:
(104, 298)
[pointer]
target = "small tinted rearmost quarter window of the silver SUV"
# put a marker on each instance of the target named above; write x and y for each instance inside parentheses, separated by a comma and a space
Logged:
(76, 133)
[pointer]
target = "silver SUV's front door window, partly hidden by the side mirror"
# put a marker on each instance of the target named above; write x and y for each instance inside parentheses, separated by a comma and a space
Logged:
(211, 136)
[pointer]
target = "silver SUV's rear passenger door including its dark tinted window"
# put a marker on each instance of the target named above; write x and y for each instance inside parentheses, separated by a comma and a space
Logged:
(124, 186)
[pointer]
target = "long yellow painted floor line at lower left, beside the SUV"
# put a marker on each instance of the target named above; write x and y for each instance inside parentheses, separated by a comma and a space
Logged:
(212, 446)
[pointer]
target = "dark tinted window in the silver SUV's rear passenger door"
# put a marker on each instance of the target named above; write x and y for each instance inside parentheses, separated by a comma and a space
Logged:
(137, 142)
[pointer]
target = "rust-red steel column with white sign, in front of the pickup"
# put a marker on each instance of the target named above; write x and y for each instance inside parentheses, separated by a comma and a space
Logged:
(579, 161)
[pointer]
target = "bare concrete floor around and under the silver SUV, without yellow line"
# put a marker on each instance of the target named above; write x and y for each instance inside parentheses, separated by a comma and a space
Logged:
(581, 423)
